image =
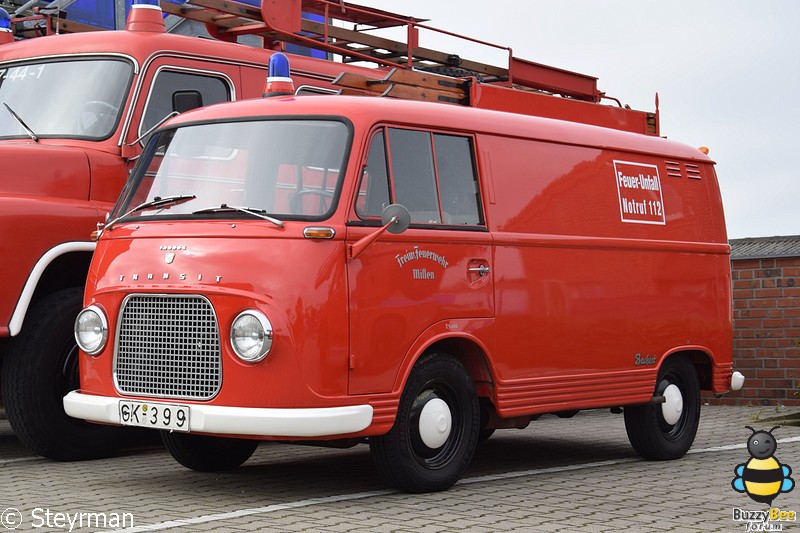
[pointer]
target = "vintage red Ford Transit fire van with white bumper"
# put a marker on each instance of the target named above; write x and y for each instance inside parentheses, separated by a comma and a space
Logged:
(407, 274)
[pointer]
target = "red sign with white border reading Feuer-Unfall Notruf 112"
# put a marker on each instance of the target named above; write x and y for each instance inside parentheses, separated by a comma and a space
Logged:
(639, 189)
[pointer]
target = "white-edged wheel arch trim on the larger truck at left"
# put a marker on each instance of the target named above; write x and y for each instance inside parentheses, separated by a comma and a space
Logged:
(65, 265)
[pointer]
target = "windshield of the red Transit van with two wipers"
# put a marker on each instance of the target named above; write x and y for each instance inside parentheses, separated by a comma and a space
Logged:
(284, 169)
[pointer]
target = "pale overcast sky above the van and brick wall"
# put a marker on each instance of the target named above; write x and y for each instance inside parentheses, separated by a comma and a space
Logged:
(727, 73)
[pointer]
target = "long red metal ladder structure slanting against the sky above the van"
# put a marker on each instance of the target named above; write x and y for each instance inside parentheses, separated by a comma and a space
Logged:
(227, 19)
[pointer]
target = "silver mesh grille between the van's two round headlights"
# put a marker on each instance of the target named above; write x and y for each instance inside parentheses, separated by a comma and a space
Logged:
(168, 346)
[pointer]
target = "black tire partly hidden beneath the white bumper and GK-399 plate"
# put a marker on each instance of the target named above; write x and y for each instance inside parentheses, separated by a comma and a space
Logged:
(205, 453)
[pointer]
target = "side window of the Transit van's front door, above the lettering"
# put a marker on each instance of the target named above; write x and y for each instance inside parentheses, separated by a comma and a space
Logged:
(431, 174)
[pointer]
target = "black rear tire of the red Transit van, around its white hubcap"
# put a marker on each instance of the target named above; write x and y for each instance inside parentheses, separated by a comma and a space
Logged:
(650, 434)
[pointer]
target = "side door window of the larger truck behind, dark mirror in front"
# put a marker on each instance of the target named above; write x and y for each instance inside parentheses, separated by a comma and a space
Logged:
(160, 101)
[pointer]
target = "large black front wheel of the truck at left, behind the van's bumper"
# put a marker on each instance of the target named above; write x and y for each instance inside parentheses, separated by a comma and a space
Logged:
(40, 367)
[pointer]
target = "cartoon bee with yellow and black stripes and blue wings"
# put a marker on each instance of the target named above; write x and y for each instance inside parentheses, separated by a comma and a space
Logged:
(762, 477)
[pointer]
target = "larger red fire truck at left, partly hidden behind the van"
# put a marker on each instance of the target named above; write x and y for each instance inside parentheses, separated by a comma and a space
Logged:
(76, 109)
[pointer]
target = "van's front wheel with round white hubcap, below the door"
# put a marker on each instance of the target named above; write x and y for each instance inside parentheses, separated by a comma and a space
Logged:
(436, 429)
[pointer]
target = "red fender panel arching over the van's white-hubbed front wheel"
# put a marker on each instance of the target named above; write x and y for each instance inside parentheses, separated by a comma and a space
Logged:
(478, 331)
